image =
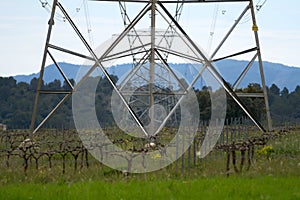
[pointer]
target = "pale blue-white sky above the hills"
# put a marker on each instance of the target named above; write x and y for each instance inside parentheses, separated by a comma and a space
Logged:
(23, 29)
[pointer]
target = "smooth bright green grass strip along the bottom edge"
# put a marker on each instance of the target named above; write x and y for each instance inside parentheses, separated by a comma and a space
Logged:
(197, 188)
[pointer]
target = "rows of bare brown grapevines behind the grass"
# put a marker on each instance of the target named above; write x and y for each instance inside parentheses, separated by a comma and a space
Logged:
(236, 150)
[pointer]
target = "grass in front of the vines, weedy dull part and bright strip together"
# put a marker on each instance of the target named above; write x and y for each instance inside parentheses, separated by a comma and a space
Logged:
(273, 175)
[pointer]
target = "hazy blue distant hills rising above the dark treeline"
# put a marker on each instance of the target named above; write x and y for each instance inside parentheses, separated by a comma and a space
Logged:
(279, 74)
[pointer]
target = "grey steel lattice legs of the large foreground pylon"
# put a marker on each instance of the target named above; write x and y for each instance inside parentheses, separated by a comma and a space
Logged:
(150, 63)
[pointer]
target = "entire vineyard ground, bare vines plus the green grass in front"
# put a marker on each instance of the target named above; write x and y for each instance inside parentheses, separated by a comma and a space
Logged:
(245, 164)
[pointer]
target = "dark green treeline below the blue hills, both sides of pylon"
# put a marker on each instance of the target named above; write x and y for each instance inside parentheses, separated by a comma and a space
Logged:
(17, 101)
